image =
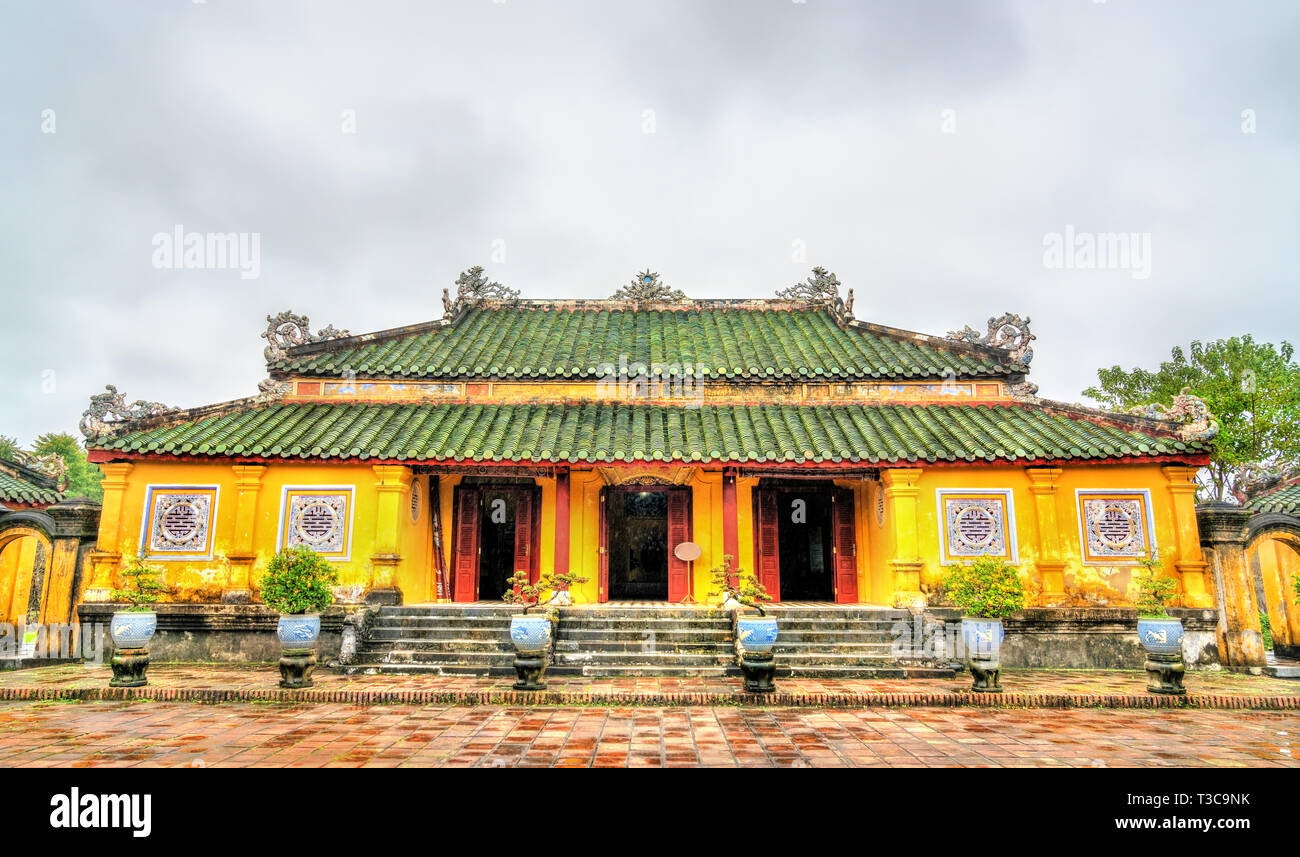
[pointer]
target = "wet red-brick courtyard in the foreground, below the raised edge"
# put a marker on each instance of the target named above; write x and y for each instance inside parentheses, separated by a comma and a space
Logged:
(332, 735)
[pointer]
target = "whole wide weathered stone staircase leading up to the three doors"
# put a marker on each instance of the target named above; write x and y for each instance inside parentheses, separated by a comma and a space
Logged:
(634, 640)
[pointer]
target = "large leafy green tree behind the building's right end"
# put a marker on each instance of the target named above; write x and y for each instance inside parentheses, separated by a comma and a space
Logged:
(1253, 388)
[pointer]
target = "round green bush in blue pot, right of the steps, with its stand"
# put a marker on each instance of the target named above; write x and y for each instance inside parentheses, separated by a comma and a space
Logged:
(987, 591)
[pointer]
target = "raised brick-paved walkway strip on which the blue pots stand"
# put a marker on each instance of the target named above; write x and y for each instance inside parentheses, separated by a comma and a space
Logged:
(1054, 689)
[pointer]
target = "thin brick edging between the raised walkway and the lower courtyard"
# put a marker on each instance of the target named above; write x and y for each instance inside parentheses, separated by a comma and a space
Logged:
(1008, 700)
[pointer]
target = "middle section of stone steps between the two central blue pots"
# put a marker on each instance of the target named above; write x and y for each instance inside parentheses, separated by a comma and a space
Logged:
(644, 642)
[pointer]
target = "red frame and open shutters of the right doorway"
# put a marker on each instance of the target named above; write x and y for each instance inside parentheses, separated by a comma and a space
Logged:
(843, 533)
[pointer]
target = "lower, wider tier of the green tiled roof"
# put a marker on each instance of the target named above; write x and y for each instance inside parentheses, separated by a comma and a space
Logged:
(617, 432)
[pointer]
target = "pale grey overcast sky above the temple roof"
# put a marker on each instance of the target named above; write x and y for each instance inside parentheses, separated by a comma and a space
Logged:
(924, 152)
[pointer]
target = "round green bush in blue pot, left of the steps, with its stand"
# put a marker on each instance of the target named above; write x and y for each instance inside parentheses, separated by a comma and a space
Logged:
(298, 586)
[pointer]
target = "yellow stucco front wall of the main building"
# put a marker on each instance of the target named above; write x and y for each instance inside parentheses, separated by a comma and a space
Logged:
(883, 559)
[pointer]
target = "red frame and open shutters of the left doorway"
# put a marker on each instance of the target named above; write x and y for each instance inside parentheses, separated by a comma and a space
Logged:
(466, 534)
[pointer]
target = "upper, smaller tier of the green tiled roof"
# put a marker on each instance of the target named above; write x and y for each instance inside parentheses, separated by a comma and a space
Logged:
(573, 343)
